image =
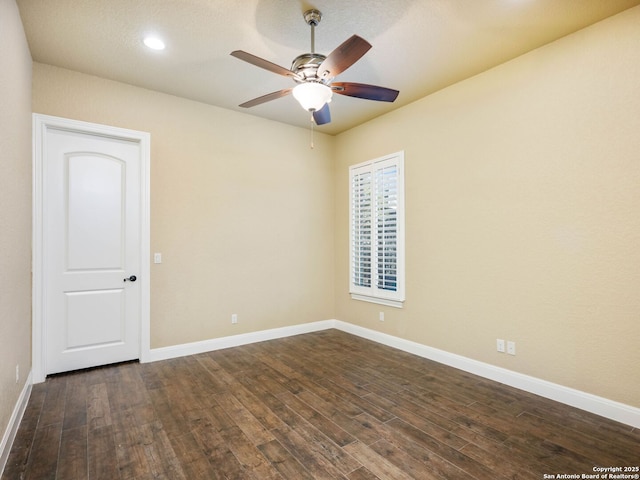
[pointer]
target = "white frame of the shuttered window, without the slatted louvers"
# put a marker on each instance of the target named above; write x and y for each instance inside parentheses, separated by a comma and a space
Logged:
(372, 293)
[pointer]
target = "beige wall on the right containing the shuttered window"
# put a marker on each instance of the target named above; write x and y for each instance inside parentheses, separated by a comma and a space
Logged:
(523, 213)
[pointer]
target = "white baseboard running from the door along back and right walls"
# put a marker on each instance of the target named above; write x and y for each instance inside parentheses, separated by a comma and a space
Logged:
(585, 401)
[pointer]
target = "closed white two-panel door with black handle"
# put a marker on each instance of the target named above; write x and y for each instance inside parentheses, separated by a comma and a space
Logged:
(92, 209)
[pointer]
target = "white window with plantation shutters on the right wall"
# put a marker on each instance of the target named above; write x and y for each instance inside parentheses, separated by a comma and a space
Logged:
(377, 230)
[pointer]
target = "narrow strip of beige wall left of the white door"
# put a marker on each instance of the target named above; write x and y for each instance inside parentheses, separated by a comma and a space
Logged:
(15, 209)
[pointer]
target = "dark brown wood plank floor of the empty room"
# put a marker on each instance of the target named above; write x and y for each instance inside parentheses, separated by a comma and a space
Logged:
(323, 405)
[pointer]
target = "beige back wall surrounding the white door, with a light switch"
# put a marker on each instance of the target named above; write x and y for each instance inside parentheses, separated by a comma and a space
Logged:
(241, 208)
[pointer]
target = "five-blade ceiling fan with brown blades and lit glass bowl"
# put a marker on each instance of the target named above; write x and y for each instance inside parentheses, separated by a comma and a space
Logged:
(314, 74)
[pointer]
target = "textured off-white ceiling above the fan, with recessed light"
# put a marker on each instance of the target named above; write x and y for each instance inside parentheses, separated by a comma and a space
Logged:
(419, 46)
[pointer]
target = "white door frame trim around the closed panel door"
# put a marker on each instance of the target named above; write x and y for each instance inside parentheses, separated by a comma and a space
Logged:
(41, 124)
